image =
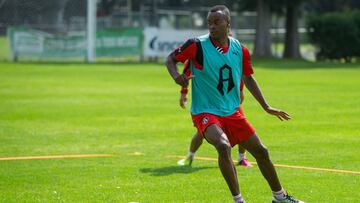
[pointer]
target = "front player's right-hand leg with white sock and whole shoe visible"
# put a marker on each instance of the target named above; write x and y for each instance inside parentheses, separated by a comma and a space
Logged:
(261, 154)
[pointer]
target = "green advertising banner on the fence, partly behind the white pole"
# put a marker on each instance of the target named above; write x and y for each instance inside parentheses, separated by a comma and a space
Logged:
(26, 42)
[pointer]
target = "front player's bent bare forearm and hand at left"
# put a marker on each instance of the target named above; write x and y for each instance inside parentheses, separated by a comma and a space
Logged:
(180, 79)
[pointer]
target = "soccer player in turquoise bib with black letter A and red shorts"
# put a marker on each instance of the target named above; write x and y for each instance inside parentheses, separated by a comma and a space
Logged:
(216, 74)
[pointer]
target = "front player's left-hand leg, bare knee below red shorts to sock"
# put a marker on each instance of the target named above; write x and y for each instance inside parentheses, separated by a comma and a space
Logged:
(215, 136)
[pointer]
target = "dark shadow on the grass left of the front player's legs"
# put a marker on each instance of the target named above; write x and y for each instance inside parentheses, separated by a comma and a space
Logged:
(164, 171)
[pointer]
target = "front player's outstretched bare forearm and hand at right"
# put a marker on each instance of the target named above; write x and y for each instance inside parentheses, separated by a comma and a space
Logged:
(254, 89)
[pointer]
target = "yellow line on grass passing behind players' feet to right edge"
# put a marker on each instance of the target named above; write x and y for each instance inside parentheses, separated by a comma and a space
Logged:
(281, 165)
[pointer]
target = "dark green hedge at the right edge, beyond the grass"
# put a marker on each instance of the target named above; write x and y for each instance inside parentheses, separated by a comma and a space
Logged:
(336, 35)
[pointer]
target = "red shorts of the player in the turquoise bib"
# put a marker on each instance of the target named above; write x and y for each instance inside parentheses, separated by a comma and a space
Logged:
(235, 126)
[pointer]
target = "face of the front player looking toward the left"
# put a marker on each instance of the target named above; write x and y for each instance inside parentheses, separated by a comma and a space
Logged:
(218, 24)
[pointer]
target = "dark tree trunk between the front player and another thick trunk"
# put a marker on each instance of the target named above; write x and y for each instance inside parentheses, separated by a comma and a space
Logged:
(262, 46)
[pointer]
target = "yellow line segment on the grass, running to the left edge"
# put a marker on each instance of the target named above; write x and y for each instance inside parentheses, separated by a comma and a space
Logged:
(53, 157)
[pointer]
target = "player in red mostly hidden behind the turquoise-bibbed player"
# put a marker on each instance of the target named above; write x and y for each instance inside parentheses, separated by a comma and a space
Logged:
(197, 139)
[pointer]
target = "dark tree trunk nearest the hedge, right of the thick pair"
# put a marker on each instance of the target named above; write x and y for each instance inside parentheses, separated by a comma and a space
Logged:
(292, 44)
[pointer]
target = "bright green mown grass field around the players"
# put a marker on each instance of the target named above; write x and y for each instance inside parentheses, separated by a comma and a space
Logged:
(132, 112)
